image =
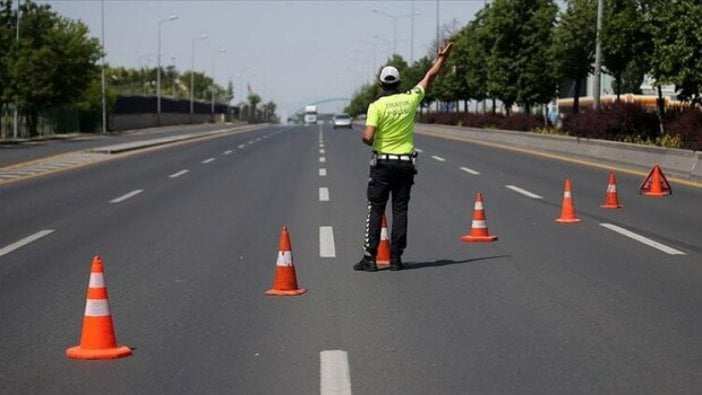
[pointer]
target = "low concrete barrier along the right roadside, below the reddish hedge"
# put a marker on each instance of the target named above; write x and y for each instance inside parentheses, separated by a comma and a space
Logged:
(681, 163)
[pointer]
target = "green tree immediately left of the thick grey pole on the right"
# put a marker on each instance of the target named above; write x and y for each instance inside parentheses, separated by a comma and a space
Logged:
(574, 44)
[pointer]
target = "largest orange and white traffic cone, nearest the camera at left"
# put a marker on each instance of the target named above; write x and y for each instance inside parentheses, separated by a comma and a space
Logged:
(98, 338)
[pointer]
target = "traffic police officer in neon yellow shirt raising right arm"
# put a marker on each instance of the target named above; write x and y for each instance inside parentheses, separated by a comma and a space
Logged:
(390, 131)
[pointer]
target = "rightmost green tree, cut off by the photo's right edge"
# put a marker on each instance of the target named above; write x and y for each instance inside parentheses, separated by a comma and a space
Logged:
(677, 46)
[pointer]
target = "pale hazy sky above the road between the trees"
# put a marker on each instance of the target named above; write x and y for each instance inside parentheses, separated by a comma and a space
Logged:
(291, 52)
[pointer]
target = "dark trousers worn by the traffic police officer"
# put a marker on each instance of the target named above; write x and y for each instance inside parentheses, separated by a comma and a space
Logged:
(388, 177)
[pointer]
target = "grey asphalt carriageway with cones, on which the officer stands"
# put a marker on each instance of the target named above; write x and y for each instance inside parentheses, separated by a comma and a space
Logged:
(189, 236)
